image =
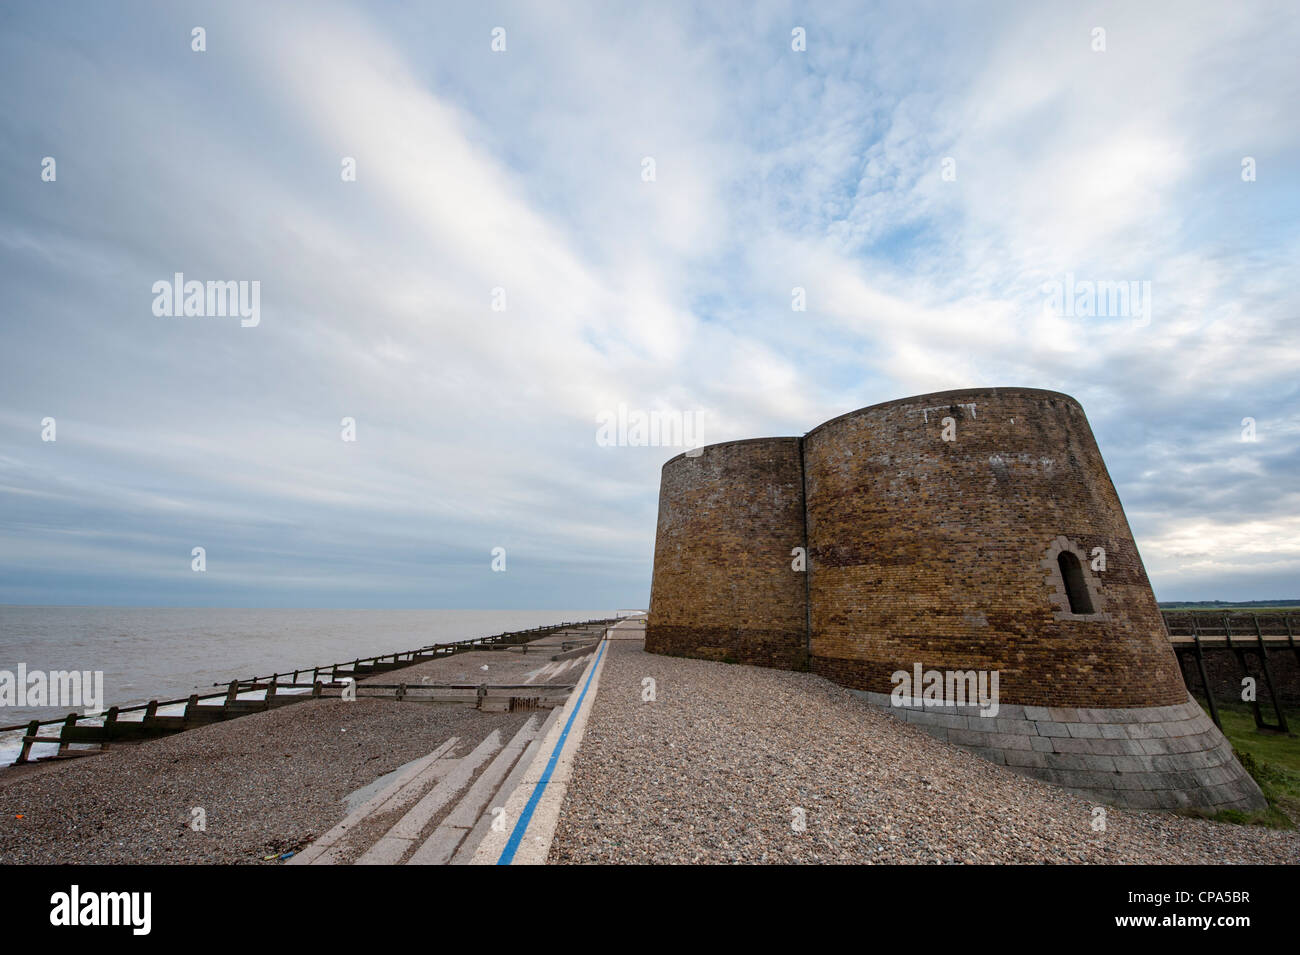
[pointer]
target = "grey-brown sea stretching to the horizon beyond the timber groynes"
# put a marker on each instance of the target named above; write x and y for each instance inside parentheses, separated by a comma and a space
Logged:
(174, 652)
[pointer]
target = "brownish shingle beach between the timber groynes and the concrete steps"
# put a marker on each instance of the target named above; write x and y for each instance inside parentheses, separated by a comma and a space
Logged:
(268, 783)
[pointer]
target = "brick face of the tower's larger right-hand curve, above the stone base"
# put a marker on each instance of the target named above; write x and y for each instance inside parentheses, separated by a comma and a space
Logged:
(942, 553)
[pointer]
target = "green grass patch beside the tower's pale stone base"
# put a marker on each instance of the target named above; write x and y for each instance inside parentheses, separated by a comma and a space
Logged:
(1273, 759)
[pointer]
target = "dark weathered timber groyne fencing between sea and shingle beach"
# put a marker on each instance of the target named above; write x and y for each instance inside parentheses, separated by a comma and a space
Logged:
(289, 688)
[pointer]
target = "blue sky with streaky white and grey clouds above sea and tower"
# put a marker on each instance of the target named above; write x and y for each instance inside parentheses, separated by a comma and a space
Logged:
(614, 210)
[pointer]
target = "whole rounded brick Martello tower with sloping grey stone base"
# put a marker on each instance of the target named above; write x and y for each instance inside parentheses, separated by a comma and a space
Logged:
(964, 531)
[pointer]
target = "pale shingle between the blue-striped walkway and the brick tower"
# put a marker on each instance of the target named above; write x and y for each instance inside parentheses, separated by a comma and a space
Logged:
(714, 770)
